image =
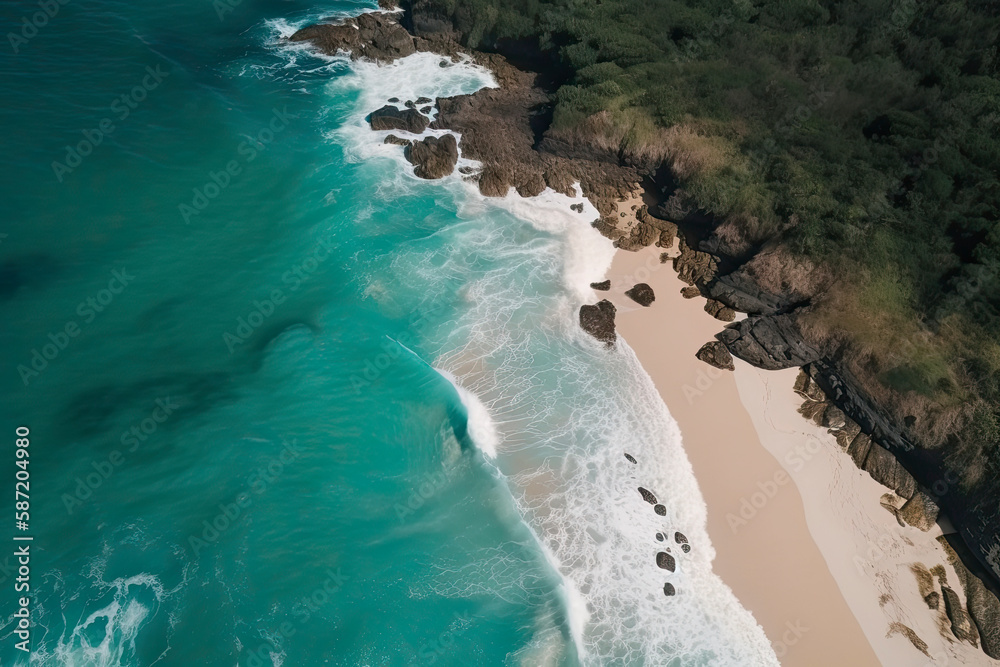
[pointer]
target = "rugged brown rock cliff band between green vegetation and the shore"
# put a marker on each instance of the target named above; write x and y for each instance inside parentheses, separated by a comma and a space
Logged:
(786, 297)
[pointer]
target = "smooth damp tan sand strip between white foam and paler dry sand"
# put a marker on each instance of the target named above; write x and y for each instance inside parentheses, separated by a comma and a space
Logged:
(770, 560)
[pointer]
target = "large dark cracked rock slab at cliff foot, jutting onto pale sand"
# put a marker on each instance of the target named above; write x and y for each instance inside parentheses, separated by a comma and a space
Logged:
(771, 343)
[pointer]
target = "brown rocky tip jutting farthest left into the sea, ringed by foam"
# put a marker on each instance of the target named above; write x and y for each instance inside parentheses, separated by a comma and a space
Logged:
(372, 36)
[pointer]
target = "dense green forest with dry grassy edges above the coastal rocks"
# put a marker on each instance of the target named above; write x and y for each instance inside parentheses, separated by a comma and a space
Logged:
(864, 134)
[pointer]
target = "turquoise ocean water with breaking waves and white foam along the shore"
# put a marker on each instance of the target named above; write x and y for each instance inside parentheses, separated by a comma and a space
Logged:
(290, 405)
